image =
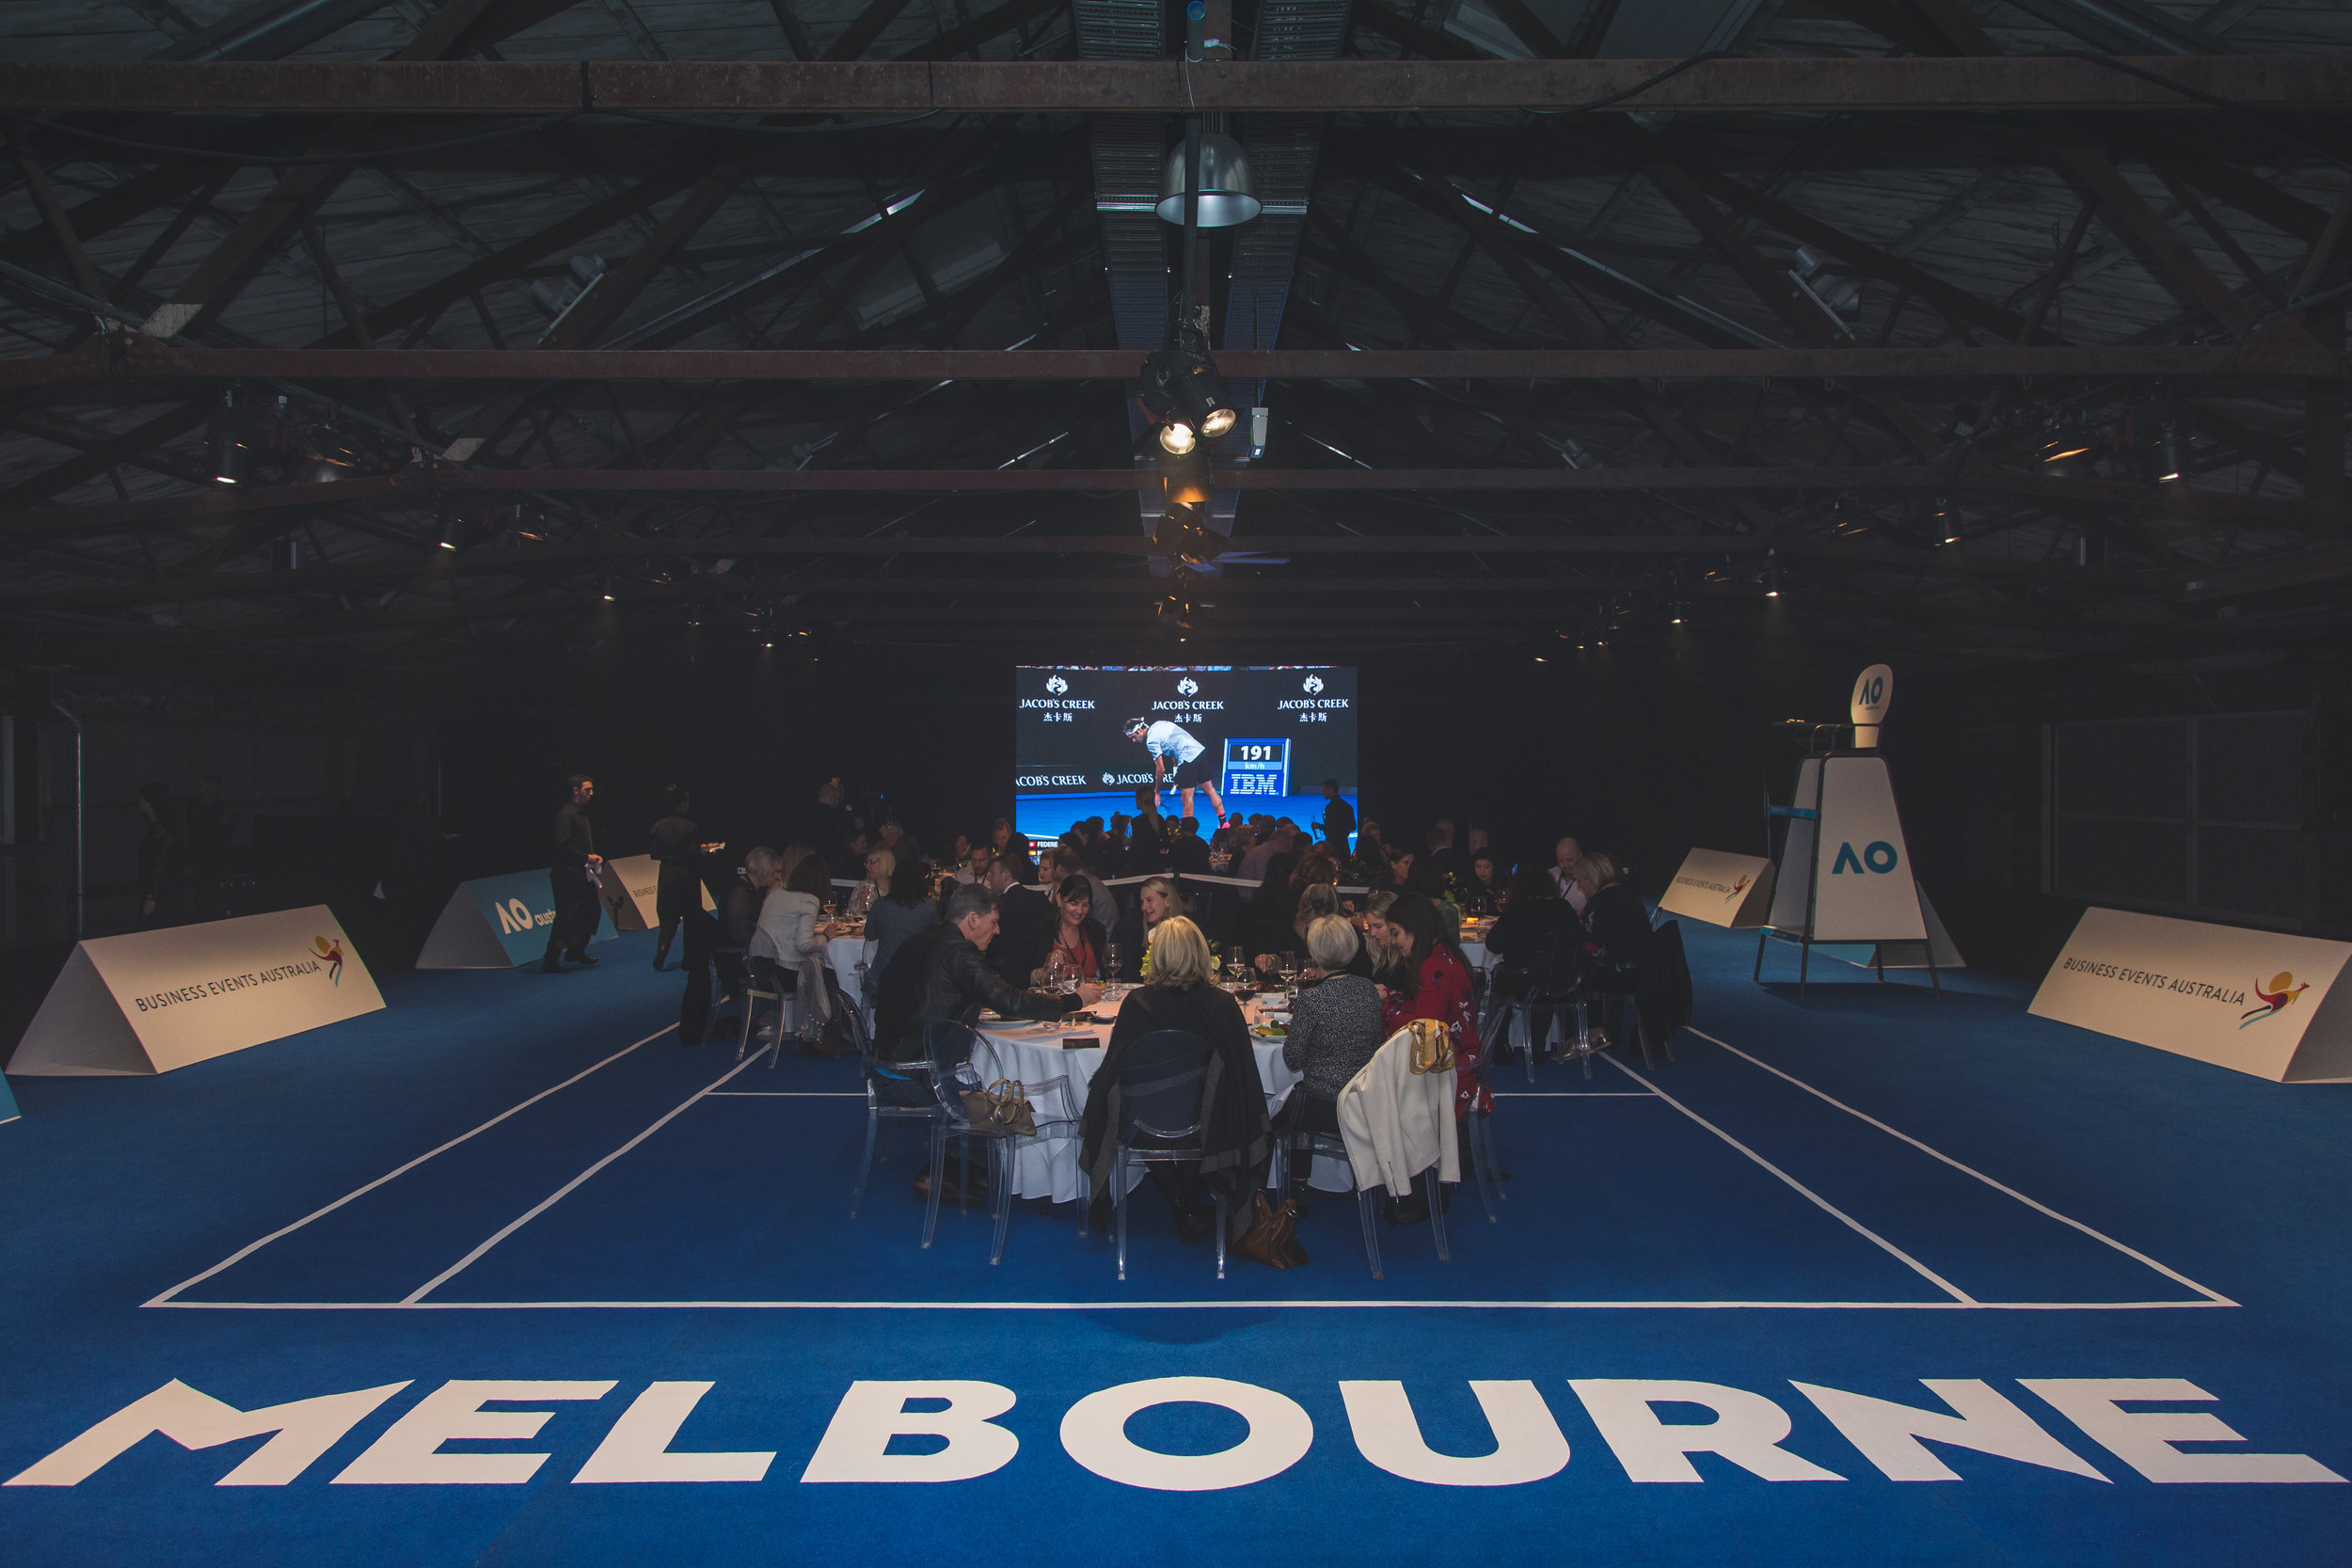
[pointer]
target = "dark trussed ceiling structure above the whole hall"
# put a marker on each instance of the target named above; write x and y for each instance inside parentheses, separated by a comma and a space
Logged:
(425, 344)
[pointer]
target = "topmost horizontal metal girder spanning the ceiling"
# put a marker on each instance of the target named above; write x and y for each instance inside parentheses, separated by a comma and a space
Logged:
(2306, 83)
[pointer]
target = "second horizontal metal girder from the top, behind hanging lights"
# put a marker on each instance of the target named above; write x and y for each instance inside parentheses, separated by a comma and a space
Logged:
(131, 359)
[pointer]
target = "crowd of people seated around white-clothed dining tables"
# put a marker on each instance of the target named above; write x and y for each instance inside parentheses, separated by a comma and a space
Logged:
(1036, 932)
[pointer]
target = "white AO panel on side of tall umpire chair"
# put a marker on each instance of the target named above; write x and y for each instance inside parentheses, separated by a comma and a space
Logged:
(1857, 855)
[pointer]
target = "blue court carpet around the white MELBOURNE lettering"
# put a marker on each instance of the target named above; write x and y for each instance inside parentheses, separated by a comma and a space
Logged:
(1833, 1158)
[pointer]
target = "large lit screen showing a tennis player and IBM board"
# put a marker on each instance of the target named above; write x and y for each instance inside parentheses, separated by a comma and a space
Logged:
(1264, 737)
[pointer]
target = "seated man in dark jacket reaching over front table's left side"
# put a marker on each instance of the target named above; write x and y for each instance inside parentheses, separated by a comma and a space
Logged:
(940, 974)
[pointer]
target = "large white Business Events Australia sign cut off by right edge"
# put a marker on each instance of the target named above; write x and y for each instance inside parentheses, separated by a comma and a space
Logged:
(2247, 1000)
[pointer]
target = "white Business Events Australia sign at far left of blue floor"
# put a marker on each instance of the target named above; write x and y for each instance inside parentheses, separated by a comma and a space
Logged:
(161, 1000)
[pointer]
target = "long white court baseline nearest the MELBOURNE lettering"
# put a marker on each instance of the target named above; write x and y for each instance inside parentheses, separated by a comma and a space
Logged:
(1208, 1306)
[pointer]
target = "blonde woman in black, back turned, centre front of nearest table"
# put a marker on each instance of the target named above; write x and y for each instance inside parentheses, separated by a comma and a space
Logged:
(1236, 1137)
